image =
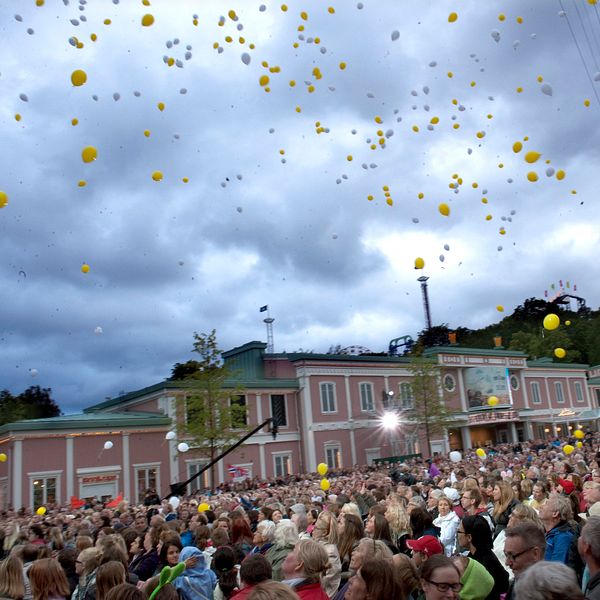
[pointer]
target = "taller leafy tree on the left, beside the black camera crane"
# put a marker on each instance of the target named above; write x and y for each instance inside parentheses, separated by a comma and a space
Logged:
(214, 416)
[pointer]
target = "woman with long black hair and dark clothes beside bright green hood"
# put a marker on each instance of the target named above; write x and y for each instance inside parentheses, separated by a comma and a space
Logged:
(475, 535)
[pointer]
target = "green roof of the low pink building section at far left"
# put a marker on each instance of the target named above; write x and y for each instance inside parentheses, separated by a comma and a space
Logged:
(105, 420)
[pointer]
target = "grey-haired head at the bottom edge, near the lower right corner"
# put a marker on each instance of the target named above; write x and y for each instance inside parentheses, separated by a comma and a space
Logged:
(548, 581)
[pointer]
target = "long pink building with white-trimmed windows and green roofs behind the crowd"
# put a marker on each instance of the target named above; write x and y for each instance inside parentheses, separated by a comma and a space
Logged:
(330, 409)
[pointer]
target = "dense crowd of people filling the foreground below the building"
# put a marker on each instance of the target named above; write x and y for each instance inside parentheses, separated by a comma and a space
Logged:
(517, 522)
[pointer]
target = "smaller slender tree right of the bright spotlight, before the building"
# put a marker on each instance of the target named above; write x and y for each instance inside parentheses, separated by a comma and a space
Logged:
(428, 406)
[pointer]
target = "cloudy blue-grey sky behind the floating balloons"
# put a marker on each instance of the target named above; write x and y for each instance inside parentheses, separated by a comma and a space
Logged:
(260, 205)
